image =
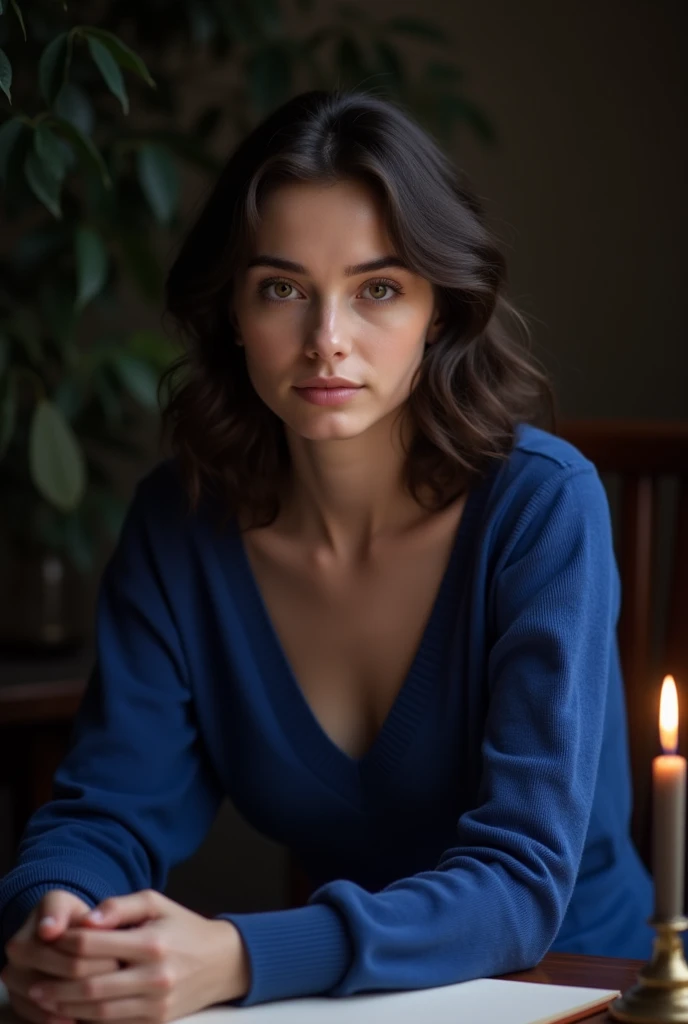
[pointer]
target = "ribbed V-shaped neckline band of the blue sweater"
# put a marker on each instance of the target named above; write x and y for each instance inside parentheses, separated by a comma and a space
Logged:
(298, 721)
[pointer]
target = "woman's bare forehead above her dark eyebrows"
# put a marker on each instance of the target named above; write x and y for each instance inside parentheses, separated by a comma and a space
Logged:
(347, 215)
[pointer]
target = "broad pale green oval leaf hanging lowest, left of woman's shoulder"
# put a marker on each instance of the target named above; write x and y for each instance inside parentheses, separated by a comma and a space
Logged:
(56, 459)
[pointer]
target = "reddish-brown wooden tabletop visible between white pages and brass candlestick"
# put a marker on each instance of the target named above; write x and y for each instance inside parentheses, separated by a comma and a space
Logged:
(589, 972)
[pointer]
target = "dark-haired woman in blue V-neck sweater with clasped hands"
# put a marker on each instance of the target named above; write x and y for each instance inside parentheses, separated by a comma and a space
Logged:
(368, 600)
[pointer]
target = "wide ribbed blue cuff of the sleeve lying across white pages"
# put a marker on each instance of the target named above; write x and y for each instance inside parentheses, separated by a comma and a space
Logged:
(304, 952)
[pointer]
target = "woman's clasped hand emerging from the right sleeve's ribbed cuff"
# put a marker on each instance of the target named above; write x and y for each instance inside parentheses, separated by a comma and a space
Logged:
(174, 964)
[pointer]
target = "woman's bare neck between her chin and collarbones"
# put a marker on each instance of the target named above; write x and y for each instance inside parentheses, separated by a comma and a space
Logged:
(347, 495)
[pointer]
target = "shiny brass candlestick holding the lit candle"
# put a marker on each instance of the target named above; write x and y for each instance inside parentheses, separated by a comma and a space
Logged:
(661, 995)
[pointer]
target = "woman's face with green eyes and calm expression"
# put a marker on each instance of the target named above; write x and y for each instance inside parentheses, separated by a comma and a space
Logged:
(309, 304)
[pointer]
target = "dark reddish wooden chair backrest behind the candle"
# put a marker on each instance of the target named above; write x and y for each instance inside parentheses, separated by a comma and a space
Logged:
(641, 454)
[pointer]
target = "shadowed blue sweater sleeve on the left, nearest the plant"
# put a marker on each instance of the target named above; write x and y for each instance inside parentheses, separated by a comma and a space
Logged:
(136, 793)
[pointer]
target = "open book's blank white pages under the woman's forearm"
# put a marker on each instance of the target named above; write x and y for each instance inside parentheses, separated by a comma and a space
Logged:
(488, 1001)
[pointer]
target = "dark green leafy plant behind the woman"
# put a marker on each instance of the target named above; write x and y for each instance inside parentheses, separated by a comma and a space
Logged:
(97, 137)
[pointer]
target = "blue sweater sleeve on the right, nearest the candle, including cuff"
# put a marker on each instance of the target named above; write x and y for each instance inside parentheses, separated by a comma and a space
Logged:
(496, 900)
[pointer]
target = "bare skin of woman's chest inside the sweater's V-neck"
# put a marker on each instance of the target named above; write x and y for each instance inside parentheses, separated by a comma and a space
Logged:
(351, 634)
